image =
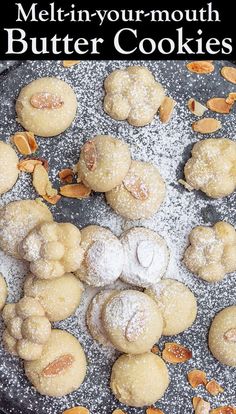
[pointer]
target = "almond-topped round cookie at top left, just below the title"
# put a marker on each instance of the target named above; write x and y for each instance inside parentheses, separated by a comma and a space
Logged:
(46, 106)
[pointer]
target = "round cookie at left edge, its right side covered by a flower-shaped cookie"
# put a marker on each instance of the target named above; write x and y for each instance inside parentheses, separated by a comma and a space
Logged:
(17, 219)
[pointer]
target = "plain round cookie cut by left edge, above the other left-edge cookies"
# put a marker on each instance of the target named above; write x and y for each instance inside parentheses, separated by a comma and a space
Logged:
(8, 167)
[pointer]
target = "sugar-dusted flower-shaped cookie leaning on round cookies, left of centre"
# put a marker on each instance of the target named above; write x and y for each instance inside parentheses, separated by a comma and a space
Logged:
(52, 249)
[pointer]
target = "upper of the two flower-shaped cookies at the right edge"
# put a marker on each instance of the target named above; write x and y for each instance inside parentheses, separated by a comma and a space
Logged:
(212, 168)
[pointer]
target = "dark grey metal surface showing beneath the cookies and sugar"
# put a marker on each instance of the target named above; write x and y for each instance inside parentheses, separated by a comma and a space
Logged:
(16, 395)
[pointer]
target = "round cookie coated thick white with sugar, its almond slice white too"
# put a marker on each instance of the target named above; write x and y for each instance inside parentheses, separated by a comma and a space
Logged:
(146, 257)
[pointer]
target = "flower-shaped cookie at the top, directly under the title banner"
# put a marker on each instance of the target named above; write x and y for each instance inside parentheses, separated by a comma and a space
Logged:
(133, 94)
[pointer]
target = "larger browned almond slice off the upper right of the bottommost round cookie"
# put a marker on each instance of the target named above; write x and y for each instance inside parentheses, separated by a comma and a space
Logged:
(176, 353)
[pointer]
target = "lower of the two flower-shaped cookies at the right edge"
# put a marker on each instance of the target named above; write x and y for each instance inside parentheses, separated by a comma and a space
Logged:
(212, 251)
